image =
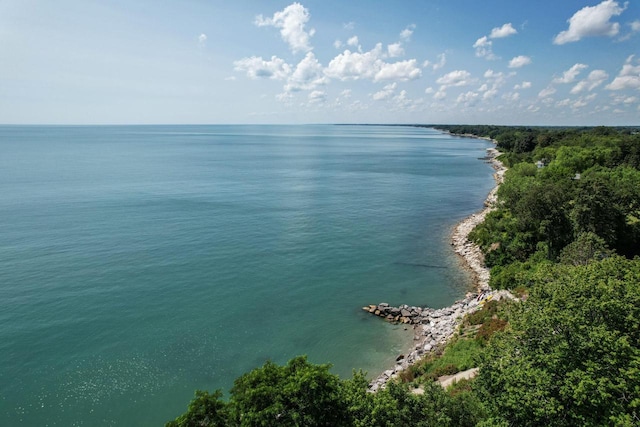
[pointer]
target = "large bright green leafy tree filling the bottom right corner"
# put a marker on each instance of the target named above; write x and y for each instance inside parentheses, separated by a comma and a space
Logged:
(571, 355)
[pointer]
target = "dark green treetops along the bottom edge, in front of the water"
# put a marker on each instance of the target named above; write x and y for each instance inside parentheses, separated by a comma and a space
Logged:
(304, 394)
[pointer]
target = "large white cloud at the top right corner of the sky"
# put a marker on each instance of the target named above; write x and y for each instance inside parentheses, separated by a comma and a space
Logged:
(592, 21)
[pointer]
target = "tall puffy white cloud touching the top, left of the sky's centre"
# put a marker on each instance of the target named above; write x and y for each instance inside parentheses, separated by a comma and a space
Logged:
(291, 21)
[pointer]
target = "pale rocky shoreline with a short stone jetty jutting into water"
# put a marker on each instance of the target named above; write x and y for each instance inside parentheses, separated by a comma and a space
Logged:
(433, 328)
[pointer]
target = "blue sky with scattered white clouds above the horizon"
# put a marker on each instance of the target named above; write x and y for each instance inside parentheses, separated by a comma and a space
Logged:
(505, 62)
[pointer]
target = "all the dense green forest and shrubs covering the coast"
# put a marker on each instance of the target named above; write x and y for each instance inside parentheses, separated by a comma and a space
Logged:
(564, 236)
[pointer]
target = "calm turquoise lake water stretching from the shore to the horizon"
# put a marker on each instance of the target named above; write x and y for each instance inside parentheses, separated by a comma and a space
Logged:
(139, 263)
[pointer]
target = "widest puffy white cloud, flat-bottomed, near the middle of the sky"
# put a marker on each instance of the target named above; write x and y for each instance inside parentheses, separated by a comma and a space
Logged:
(370, 65)
